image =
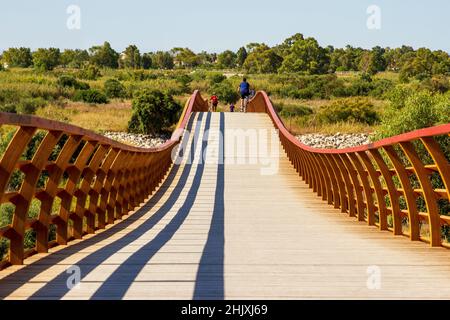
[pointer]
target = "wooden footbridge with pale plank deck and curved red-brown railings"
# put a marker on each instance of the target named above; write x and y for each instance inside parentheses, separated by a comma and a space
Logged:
(232, 207)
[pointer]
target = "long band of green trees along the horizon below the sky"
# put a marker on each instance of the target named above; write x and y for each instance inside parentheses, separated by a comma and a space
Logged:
(296, 54)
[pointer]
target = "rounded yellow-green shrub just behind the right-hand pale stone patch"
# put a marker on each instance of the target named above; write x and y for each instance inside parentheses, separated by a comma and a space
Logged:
(348, 110)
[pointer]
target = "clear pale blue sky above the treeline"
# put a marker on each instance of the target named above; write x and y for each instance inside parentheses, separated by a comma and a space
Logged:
(219, 25)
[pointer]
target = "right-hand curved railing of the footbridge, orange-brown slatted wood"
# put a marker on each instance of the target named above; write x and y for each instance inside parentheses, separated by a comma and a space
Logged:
(385, 183)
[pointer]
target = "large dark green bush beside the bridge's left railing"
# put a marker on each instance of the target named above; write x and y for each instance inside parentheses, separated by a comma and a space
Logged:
(153, 112)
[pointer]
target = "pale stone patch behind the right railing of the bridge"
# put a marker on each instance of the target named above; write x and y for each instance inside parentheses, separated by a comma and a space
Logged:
(335, 141)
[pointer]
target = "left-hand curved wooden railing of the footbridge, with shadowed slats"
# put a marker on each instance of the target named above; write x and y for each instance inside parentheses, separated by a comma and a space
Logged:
(96, 179)
